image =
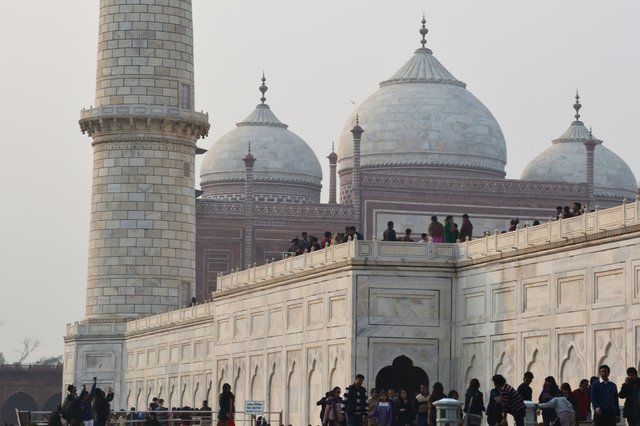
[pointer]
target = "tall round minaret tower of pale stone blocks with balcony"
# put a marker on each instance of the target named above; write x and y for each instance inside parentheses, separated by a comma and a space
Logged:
(144, 130)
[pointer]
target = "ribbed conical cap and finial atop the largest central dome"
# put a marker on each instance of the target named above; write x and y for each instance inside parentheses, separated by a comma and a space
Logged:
(423, 67)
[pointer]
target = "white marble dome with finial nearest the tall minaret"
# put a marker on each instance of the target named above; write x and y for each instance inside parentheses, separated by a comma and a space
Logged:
(285, 170)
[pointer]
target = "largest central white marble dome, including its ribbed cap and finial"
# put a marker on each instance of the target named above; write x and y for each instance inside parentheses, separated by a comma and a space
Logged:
(423, 120)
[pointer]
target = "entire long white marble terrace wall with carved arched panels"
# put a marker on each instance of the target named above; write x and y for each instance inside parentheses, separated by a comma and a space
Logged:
(286, 336)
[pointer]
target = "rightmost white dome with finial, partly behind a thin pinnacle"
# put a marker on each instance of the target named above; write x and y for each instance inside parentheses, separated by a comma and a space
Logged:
(566, 161)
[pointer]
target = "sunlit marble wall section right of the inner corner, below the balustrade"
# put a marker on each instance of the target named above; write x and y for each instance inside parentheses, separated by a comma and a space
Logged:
(559, 313)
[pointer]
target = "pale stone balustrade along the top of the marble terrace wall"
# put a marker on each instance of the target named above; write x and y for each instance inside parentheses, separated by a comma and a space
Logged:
(552, 231)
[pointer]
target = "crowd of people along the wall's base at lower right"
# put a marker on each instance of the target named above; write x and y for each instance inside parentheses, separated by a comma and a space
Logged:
(595, 400)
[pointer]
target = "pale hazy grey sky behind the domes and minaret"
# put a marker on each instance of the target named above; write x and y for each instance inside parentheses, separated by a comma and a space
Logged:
(523, 59)
